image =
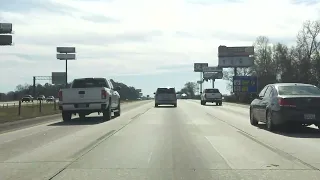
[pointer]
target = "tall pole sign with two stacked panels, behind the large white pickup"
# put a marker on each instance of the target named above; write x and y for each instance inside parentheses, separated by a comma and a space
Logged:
(66, 53)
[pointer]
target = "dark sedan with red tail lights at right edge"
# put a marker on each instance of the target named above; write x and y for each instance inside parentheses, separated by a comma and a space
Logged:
(286, 104)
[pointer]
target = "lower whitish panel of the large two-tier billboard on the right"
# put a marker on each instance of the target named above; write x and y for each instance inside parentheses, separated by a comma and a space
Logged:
(225, 62)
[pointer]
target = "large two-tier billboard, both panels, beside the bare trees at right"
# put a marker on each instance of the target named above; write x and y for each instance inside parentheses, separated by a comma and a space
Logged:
(235, 56)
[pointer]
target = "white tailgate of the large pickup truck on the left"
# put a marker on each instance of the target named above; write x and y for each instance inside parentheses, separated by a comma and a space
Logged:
(81, 95)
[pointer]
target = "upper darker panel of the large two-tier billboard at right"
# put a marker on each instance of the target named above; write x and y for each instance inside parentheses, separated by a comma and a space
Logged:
(224, 51)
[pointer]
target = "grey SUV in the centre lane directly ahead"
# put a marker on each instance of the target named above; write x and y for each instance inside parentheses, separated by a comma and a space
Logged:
(165, 96)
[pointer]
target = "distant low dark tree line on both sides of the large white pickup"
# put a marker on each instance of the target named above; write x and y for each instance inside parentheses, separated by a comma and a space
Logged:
(126, 92)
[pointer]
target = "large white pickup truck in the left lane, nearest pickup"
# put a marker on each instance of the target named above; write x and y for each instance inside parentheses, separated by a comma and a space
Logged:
(89, 95)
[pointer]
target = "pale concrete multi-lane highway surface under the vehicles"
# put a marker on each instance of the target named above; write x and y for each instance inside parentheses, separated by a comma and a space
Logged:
(189, 142)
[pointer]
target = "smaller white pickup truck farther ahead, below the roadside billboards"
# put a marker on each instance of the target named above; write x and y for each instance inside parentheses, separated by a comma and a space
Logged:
(211, 95)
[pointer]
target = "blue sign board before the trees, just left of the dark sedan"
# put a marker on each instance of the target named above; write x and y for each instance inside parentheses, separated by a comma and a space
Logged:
(245, 84)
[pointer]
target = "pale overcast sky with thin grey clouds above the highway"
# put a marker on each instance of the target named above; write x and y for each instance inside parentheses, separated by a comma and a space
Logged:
(143, 43)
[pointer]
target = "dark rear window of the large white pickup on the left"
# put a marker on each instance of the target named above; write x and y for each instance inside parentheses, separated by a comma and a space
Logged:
(89, 83)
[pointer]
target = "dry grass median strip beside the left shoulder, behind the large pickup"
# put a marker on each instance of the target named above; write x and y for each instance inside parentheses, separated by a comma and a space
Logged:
(11, 113)
